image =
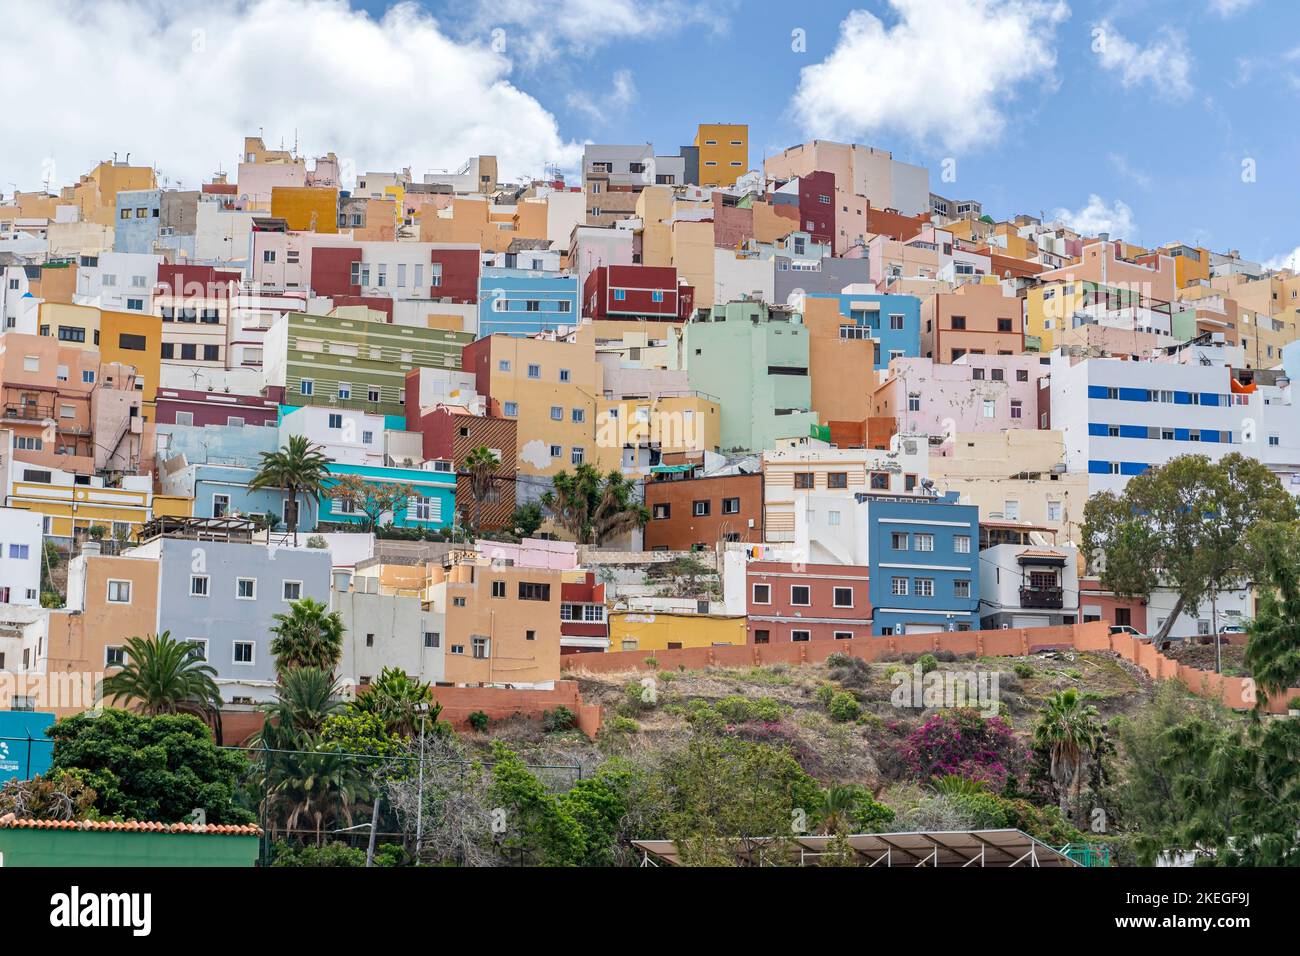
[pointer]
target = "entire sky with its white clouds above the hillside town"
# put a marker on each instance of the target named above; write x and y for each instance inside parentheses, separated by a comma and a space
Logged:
(1134, 118)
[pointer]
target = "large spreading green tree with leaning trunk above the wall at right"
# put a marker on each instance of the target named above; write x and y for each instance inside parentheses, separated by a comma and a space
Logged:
(1186, 526)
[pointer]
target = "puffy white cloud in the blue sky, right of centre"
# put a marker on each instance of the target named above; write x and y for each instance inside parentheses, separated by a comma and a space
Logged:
(942, 73)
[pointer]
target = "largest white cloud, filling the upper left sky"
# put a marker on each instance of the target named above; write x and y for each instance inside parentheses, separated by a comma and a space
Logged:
(180, 86)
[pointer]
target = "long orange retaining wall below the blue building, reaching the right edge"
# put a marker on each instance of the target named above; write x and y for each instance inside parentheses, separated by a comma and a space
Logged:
(1234, 693)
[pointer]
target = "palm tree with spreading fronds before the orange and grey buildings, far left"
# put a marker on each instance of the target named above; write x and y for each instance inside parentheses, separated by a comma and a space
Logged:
(167, 677)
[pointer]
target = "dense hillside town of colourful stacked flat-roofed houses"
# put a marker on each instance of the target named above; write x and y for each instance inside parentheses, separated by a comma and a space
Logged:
(692, 408)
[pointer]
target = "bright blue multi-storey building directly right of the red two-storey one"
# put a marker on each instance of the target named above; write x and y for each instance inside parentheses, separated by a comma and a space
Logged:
(924, 557)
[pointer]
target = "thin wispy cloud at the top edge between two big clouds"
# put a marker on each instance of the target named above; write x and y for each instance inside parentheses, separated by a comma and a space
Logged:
(539, 31)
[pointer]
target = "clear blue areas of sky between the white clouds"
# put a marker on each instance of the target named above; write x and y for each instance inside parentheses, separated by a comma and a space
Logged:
(1164, 132)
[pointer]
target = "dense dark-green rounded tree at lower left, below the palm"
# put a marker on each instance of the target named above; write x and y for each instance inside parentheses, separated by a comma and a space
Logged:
(145, 768)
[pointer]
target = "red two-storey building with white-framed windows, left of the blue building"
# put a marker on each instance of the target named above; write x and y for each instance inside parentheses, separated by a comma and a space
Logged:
(807, 603)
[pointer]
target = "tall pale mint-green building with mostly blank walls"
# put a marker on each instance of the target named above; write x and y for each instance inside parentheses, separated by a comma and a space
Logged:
(755, 358)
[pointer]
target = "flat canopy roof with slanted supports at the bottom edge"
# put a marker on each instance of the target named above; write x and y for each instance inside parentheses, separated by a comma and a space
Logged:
(918, 849)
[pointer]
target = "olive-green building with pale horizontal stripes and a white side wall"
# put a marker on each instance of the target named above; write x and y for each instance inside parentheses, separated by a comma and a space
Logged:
(353, 361)
